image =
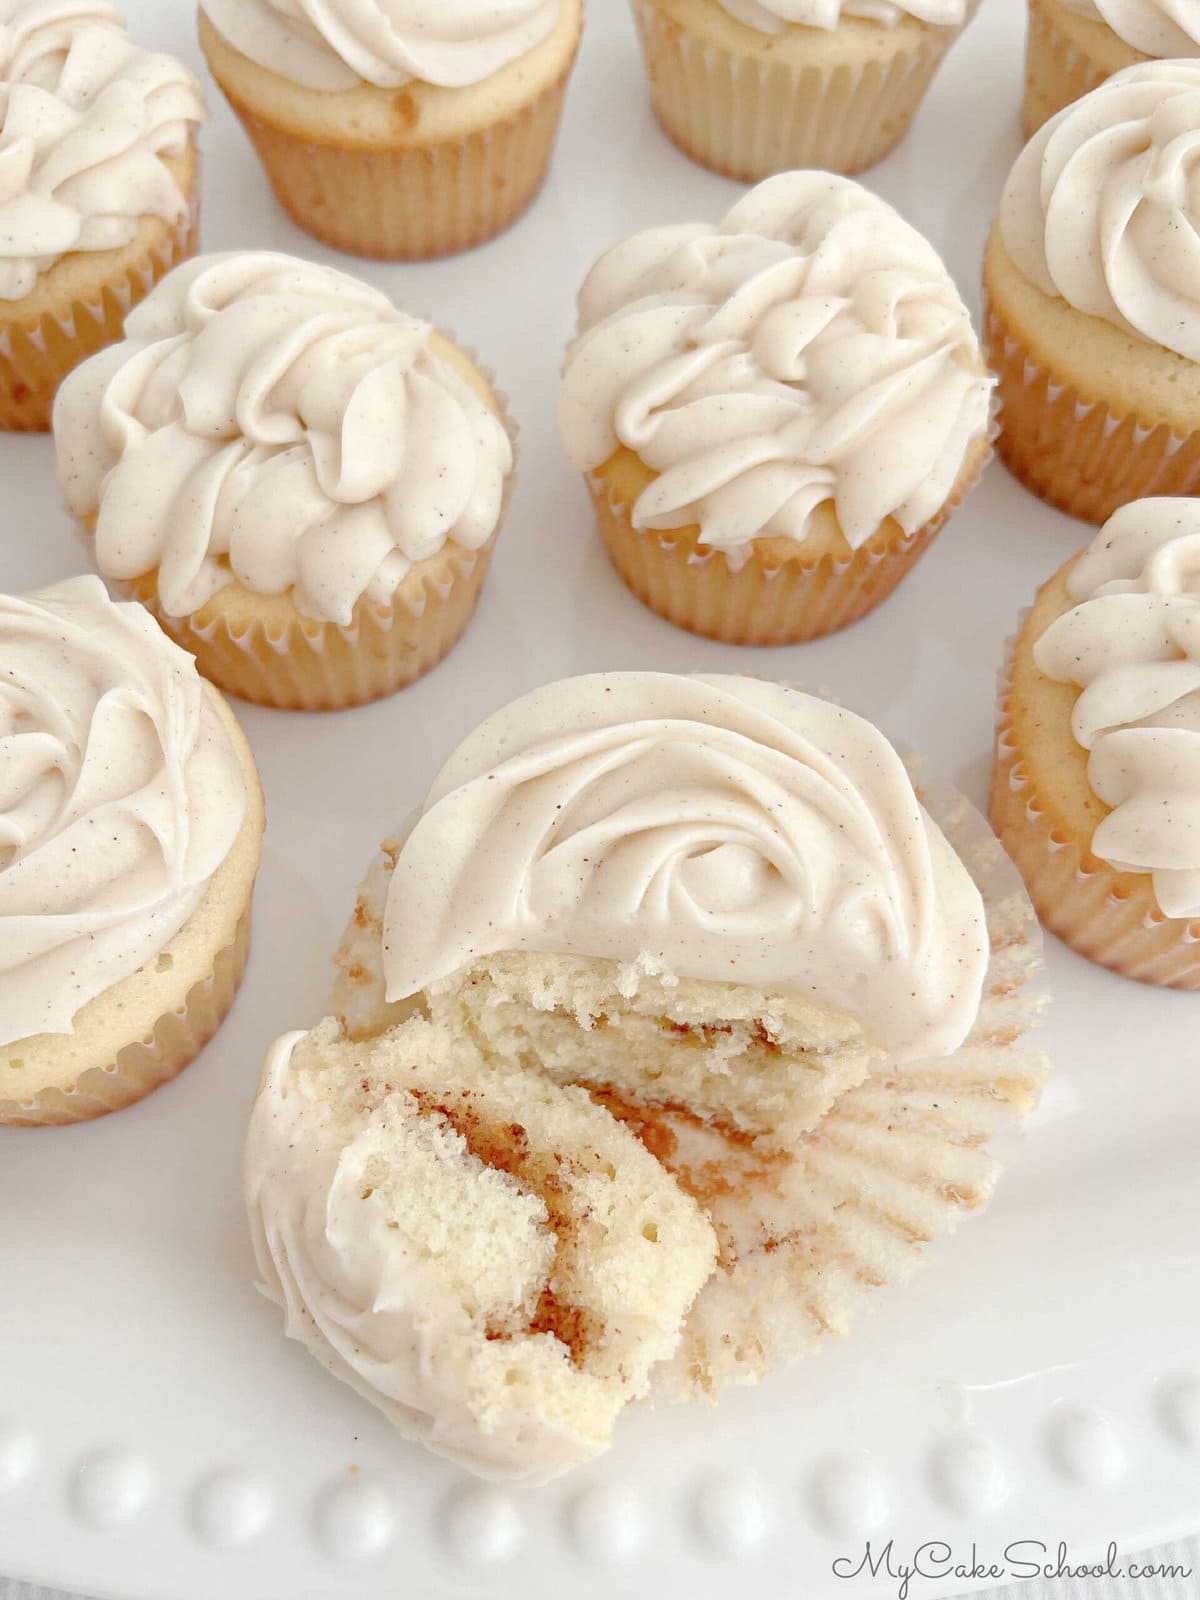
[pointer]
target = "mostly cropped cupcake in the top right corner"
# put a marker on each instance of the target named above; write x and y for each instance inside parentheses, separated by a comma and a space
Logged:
(1074, 46)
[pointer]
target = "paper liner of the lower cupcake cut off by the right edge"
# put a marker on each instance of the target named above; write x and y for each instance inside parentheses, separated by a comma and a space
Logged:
(1111, 918)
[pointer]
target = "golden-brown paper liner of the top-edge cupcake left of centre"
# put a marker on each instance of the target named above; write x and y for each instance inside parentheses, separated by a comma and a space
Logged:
(412, 202)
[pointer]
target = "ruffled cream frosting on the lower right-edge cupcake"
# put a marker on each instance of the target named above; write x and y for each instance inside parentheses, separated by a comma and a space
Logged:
(1134, 646)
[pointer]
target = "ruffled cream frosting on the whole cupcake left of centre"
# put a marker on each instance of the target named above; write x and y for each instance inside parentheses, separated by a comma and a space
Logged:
(278, 423)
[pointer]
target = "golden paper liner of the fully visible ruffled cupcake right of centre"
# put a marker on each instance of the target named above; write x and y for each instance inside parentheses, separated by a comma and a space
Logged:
(761, 602)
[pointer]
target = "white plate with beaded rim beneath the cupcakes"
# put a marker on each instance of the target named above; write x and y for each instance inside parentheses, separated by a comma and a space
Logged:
(1041, 1380)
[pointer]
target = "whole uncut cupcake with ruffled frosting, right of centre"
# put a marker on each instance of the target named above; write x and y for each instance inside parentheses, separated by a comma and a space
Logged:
(777, 414)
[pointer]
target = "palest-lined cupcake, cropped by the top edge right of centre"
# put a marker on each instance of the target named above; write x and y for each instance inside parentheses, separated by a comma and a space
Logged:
(759, 87)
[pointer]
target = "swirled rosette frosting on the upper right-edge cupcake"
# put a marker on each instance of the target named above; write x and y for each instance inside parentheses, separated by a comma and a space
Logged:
(1103, 206)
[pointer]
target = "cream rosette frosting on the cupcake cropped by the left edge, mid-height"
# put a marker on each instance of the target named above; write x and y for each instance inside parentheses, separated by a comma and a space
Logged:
(121, 796)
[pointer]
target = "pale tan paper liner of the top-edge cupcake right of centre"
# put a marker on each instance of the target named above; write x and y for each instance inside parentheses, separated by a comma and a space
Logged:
(748, 118)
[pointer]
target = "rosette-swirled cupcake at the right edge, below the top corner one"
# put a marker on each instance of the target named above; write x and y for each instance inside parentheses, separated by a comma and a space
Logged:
(1094, 305)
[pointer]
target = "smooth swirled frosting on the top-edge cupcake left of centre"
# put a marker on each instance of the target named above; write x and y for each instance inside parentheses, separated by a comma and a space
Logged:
(337, 44)
